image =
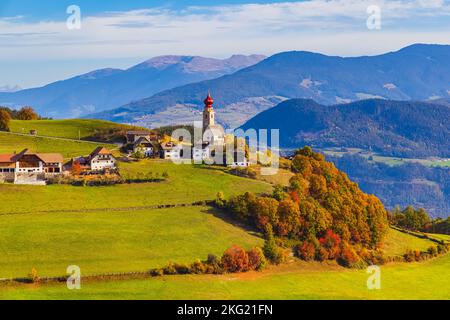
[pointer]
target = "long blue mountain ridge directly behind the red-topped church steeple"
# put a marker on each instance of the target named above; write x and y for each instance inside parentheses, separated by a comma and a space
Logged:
(417, 72)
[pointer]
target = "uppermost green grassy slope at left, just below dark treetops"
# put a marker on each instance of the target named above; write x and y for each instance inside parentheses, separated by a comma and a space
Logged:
(71, 129)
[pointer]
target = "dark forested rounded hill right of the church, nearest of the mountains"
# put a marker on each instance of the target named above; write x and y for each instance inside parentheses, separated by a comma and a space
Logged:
(394, 128)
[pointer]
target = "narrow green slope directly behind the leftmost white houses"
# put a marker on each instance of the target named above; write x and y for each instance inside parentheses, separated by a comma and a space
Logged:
(10, 143)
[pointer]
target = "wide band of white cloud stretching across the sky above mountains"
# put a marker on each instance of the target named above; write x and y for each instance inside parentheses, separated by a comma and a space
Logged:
(334, 26)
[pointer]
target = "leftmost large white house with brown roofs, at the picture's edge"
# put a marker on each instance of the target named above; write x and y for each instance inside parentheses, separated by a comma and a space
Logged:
(29, 168)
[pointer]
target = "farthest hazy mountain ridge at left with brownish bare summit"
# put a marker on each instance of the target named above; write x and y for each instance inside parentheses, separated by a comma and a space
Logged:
(108, 88)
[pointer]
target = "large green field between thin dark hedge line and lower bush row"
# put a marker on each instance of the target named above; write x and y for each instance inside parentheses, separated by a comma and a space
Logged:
(102, 242)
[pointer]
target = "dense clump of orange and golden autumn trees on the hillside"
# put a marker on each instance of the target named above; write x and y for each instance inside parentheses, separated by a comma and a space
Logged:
(321, 214)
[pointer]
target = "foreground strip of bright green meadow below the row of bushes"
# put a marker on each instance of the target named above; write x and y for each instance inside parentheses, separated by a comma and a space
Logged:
(426, 280)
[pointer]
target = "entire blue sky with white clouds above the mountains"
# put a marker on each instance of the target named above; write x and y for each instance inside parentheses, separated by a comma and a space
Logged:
(36, 47)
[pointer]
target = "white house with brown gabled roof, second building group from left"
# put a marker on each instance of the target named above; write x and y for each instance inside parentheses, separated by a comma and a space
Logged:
(101, 160)
